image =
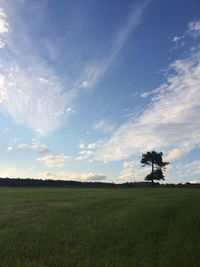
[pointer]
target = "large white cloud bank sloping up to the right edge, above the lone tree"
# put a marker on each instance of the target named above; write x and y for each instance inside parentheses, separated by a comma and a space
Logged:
(170, 122)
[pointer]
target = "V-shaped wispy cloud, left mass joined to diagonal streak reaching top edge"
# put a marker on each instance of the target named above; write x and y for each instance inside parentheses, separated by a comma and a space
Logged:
(43, 96)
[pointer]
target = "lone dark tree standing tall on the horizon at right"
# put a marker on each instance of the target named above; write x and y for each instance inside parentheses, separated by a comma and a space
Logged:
(154, 159)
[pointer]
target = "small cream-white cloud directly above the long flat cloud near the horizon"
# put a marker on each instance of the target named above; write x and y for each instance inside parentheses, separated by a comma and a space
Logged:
(54, 160)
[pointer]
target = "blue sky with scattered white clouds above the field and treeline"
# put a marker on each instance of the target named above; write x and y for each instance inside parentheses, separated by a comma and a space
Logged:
(87, 87)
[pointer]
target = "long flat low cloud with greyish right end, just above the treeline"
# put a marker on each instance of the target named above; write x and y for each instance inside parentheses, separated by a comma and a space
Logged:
(85, 177)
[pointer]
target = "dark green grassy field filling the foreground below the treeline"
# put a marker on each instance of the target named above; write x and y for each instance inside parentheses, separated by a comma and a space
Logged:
(99, 227)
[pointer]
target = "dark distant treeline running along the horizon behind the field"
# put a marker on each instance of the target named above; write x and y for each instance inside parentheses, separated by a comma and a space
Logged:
(29, 182)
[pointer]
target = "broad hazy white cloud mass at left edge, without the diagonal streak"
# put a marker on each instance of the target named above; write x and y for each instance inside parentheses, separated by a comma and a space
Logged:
(27, 77)
